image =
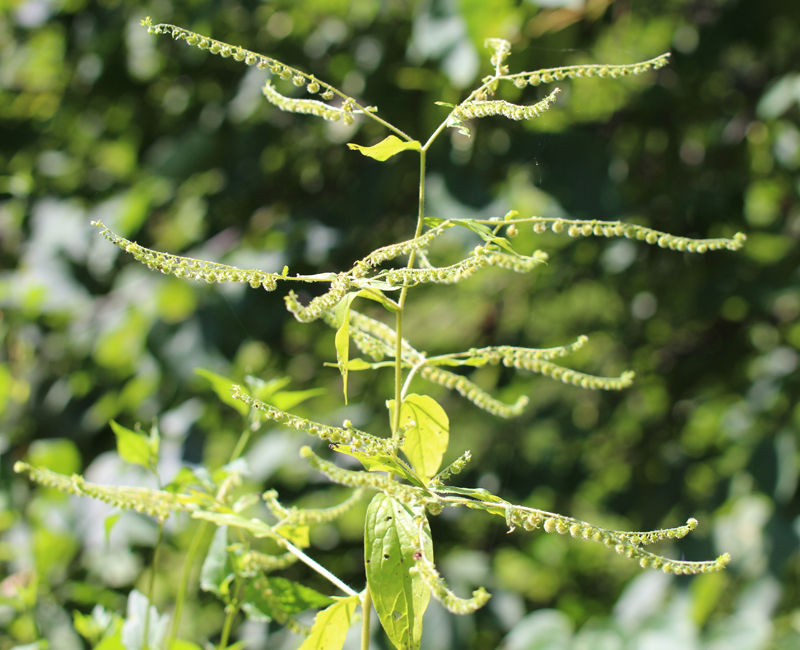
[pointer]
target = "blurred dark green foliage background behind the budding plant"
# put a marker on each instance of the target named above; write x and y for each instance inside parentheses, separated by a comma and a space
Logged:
(177, 149)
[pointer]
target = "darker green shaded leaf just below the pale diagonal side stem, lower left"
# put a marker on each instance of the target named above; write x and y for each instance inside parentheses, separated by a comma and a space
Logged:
(279, 598)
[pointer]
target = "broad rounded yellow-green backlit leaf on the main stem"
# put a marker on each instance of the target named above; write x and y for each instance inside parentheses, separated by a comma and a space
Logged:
(427, 441)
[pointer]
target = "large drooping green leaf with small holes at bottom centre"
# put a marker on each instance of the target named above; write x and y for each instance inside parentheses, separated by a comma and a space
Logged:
(400, 599)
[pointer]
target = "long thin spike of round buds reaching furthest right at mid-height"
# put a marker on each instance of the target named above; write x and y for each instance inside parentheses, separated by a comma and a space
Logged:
(642, 233)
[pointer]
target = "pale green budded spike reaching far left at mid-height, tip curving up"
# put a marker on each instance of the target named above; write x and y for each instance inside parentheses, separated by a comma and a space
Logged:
(190, 268)
